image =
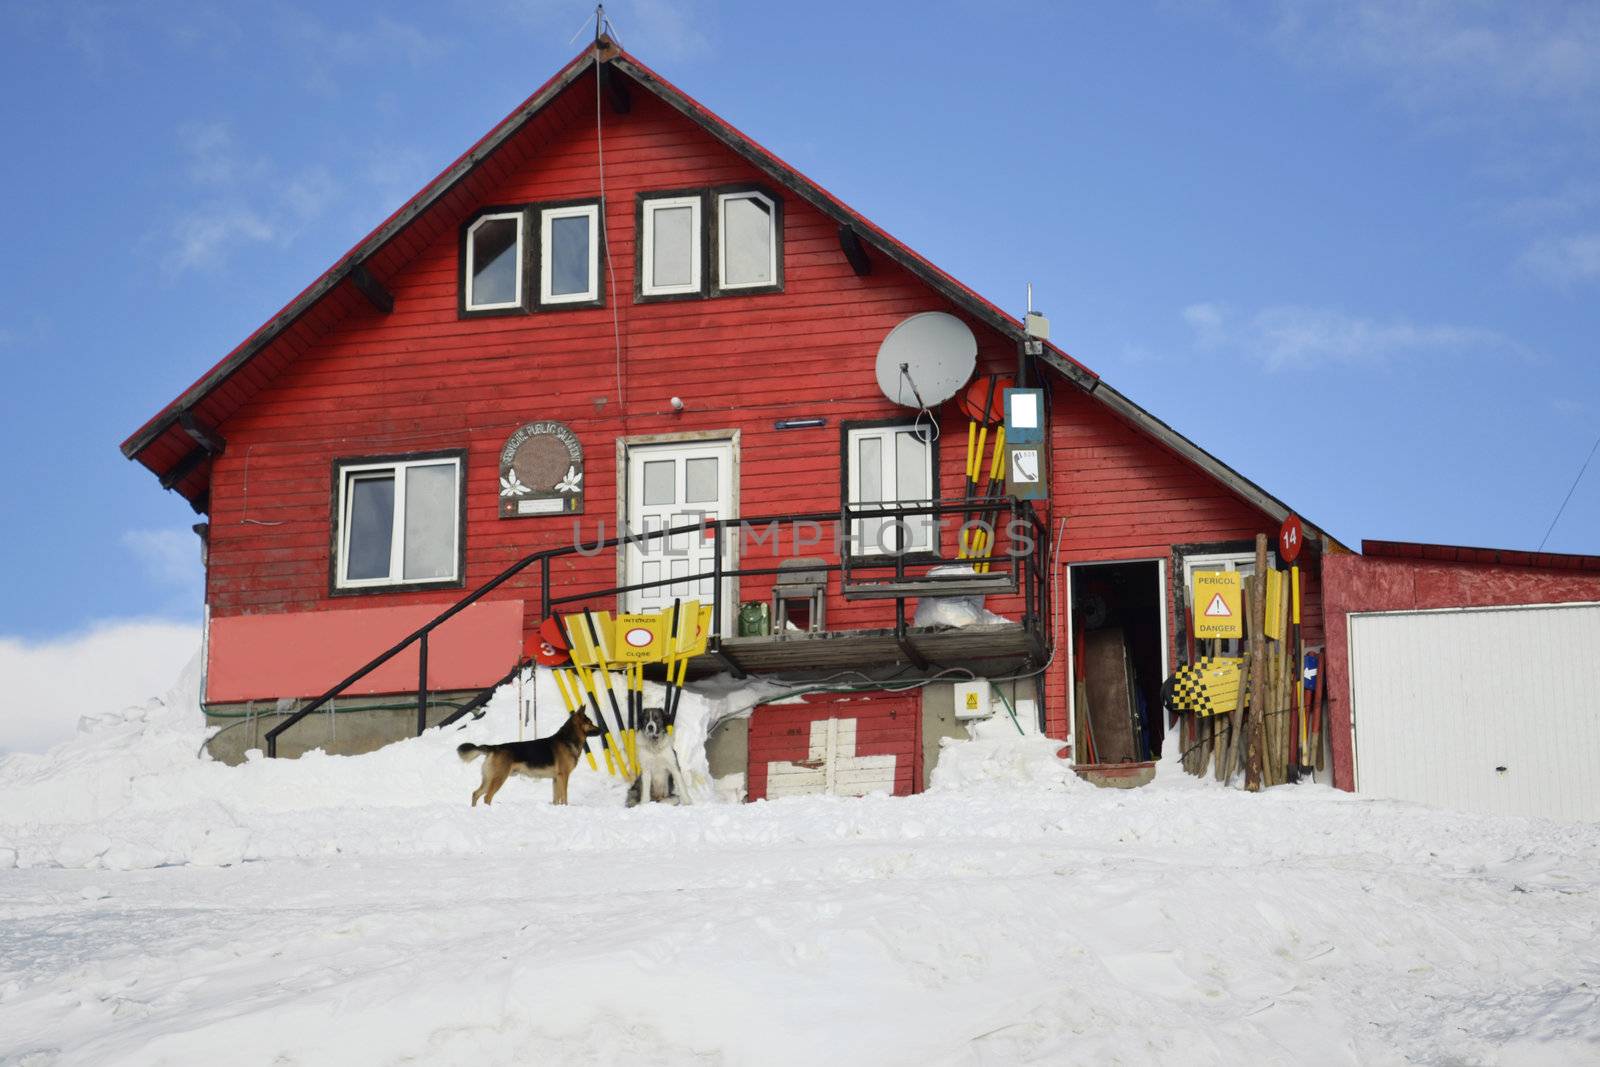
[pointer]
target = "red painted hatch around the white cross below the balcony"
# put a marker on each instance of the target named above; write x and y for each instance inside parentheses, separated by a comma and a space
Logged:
(887, 724)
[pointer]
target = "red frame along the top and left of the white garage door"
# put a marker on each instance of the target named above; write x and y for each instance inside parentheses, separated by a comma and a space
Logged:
(1361, 583)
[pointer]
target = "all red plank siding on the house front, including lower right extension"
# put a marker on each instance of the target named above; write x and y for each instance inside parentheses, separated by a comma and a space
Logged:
(353, 382)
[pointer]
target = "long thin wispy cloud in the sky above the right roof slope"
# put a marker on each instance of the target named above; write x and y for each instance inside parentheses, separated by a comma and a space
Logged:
(1294, 338)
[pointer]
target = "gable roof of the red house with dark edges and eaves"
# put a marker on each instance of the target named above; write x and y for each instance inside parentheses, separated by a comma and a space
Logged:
(178, 442)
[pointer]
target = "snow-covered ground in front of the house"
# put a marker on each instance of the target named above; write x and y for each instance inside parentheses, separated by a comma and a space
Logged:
(161, 909)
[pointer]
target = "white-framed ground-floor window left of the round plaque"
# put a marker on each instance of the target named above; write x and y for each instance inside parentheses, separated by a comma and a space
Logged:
(399, 522)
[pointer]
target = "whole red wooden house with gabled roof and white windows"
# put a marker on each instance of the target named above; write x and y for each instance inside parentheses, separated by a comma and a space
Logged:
(618, 310)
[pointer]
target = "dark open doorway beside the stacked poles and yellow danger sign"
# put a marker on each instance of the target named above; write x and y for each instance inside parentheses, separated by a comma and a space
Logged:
(1118, 626)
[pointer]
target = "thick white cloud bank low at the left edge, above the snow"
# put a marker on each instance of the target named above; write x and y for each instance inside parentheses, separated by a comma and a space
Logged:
(50, 685)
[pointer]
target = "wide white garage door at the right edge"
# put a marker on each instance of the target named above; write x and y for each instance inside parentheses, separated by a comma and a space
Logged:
(1487, 709)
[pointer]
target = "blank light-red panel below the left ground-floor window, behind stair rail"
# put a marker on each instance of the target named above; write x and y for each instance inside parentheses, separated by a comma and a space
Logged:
(305, 653)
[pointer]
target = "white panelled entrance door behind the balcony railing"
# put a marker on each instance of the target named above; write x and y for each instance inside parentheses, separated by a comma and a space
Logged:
(678, 486)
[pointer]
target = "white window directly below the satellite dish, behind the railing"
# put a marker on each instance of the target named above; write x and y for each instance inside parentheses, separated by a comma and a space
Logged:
(887, 466)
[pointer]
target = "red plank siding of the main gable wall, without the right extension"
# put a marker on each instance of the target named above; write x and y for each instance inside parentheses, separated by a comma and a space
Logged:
(422, 378)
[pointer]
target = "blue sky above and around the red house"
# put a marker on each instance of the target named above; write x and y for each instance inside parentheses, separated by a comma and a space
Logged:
(1354, 250)
